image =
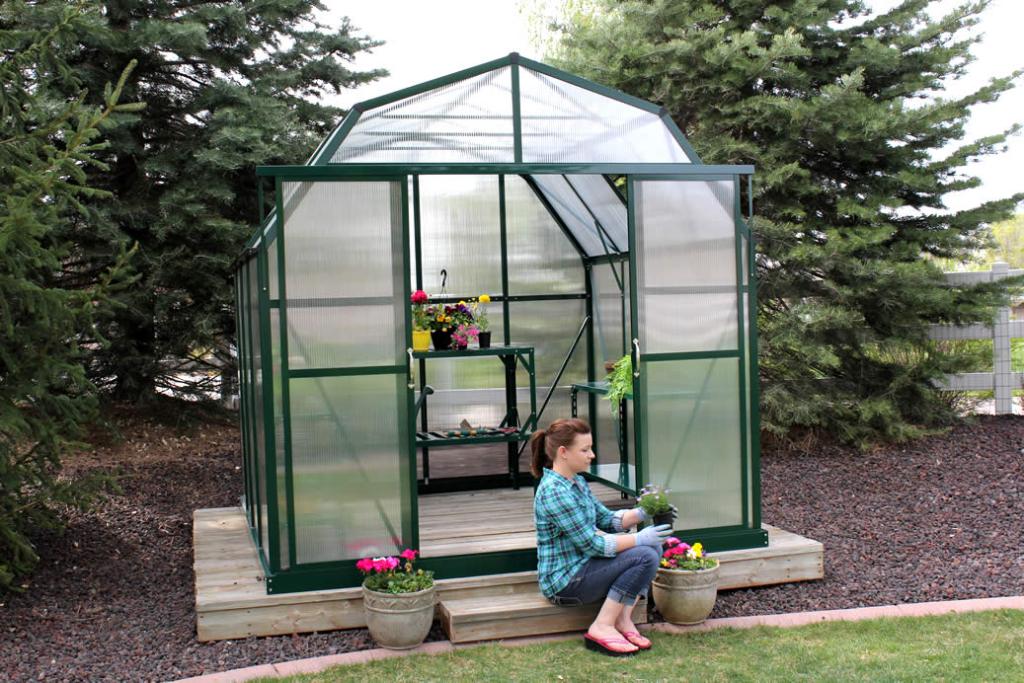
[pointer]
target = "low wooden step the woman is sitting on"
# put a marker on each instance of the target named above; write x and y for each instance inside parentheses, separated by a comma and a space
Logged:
(466, 620)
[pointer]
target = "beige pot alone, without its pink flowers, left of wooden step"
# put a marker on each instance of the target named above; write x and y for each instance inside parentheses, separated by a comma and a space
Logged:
(399, 621)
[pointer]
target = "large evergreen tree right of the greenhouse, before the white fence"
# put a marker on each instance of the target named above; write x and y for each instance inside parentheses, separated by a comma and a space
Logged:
(841, 112)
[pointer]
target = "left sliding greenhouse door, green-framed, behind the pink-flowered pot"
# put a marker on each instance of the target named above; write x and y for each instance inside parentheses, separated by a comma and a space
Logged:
(346, 397)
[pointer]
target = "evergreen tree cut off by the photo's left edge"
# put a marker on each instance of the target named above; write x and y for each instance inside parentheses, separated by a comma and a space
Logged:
(46, 146)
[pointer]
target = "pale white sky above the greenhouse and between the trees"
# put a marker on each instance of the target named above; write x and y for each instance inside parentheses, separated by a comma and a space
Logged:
(425, 40)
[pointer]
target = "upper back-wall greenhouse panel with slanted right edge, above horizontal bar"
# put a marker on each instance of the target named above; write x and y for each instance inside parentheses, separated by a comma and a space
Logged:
(542, 261)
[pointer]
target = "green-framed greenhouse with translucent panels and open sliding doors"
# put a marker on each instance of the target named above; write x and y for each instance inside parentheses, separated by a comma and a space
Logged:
(596, 233)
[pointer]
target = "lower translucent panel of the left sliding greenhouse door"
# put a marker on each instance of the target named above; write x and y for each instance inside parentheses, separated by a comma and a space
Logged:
(347, 462)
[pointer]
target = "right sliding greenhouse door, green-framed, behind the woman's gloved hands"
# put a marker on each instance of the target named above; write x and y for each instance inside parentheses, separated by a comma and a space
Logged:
(690, 353)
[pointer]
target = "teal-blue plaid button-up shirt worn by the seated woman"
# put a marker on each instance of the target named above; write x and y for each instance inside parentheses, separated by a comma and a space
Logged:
(568, 516)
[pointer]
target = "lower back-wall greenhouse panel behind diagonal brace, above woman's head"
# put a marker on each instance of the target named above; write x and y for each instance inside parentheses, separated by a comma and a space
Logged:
(550, 327)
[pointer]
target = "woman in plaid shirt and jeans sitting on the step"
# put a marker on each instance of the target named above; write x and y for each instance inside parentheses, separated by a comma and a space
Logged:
(577, 565)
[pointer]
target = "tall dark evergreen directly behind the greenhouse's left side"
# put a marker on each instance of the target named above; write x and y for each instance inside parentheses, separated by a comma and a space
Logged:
(229, 86)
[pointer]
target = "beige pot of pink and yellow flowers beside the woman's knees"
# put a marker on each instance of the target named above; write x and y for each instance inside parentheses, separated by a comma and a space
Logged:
(687, 585)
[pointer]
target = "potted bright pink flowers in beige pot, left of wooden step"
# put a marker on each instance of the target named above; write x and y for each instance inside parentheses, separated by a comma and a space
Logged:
(398, 601)
